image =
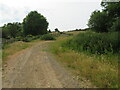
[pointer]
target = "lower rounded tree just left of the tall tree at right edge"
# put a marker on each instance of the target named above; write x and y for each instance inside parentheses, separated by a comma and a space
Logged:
(98, 21)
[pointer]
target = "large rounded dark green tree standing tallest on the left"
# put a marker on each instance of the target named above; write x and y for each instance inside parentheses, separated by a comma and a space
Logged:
(35, 24)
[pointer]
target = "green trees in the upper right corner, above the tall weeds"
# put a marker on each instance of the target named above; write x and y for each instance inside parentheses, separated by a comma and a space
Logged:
(106, 20)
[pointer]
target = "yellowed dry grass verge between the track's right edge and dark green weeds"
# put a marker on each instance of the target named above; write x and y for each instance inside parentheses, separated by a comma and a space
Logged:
(97, 69)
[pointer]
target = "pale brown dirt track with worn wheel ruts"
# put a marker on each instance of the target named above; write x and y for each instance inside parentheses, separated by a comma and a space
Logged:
(36, 68)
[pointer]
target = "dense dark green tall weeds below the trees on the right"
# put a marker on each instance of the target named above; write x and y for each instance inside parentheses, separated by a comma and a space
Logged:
(95, 43)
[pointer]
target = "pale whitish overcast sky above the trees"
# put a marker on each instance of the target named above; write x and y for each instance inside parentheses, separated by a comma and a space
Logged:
(62, 14)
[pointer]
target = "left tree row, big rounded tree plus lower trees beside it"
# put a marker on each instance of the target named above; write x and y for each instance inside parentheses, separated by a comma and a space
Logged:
(33, 24)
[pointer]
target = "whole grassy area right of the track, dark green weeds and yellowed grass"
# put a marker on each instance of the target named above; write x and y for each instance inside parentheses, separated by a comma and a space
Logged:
(99, 68)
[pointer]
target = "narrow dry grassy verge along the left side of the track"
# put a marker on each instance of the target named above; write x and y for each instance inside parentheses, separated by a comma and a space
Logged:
(12, 48)
